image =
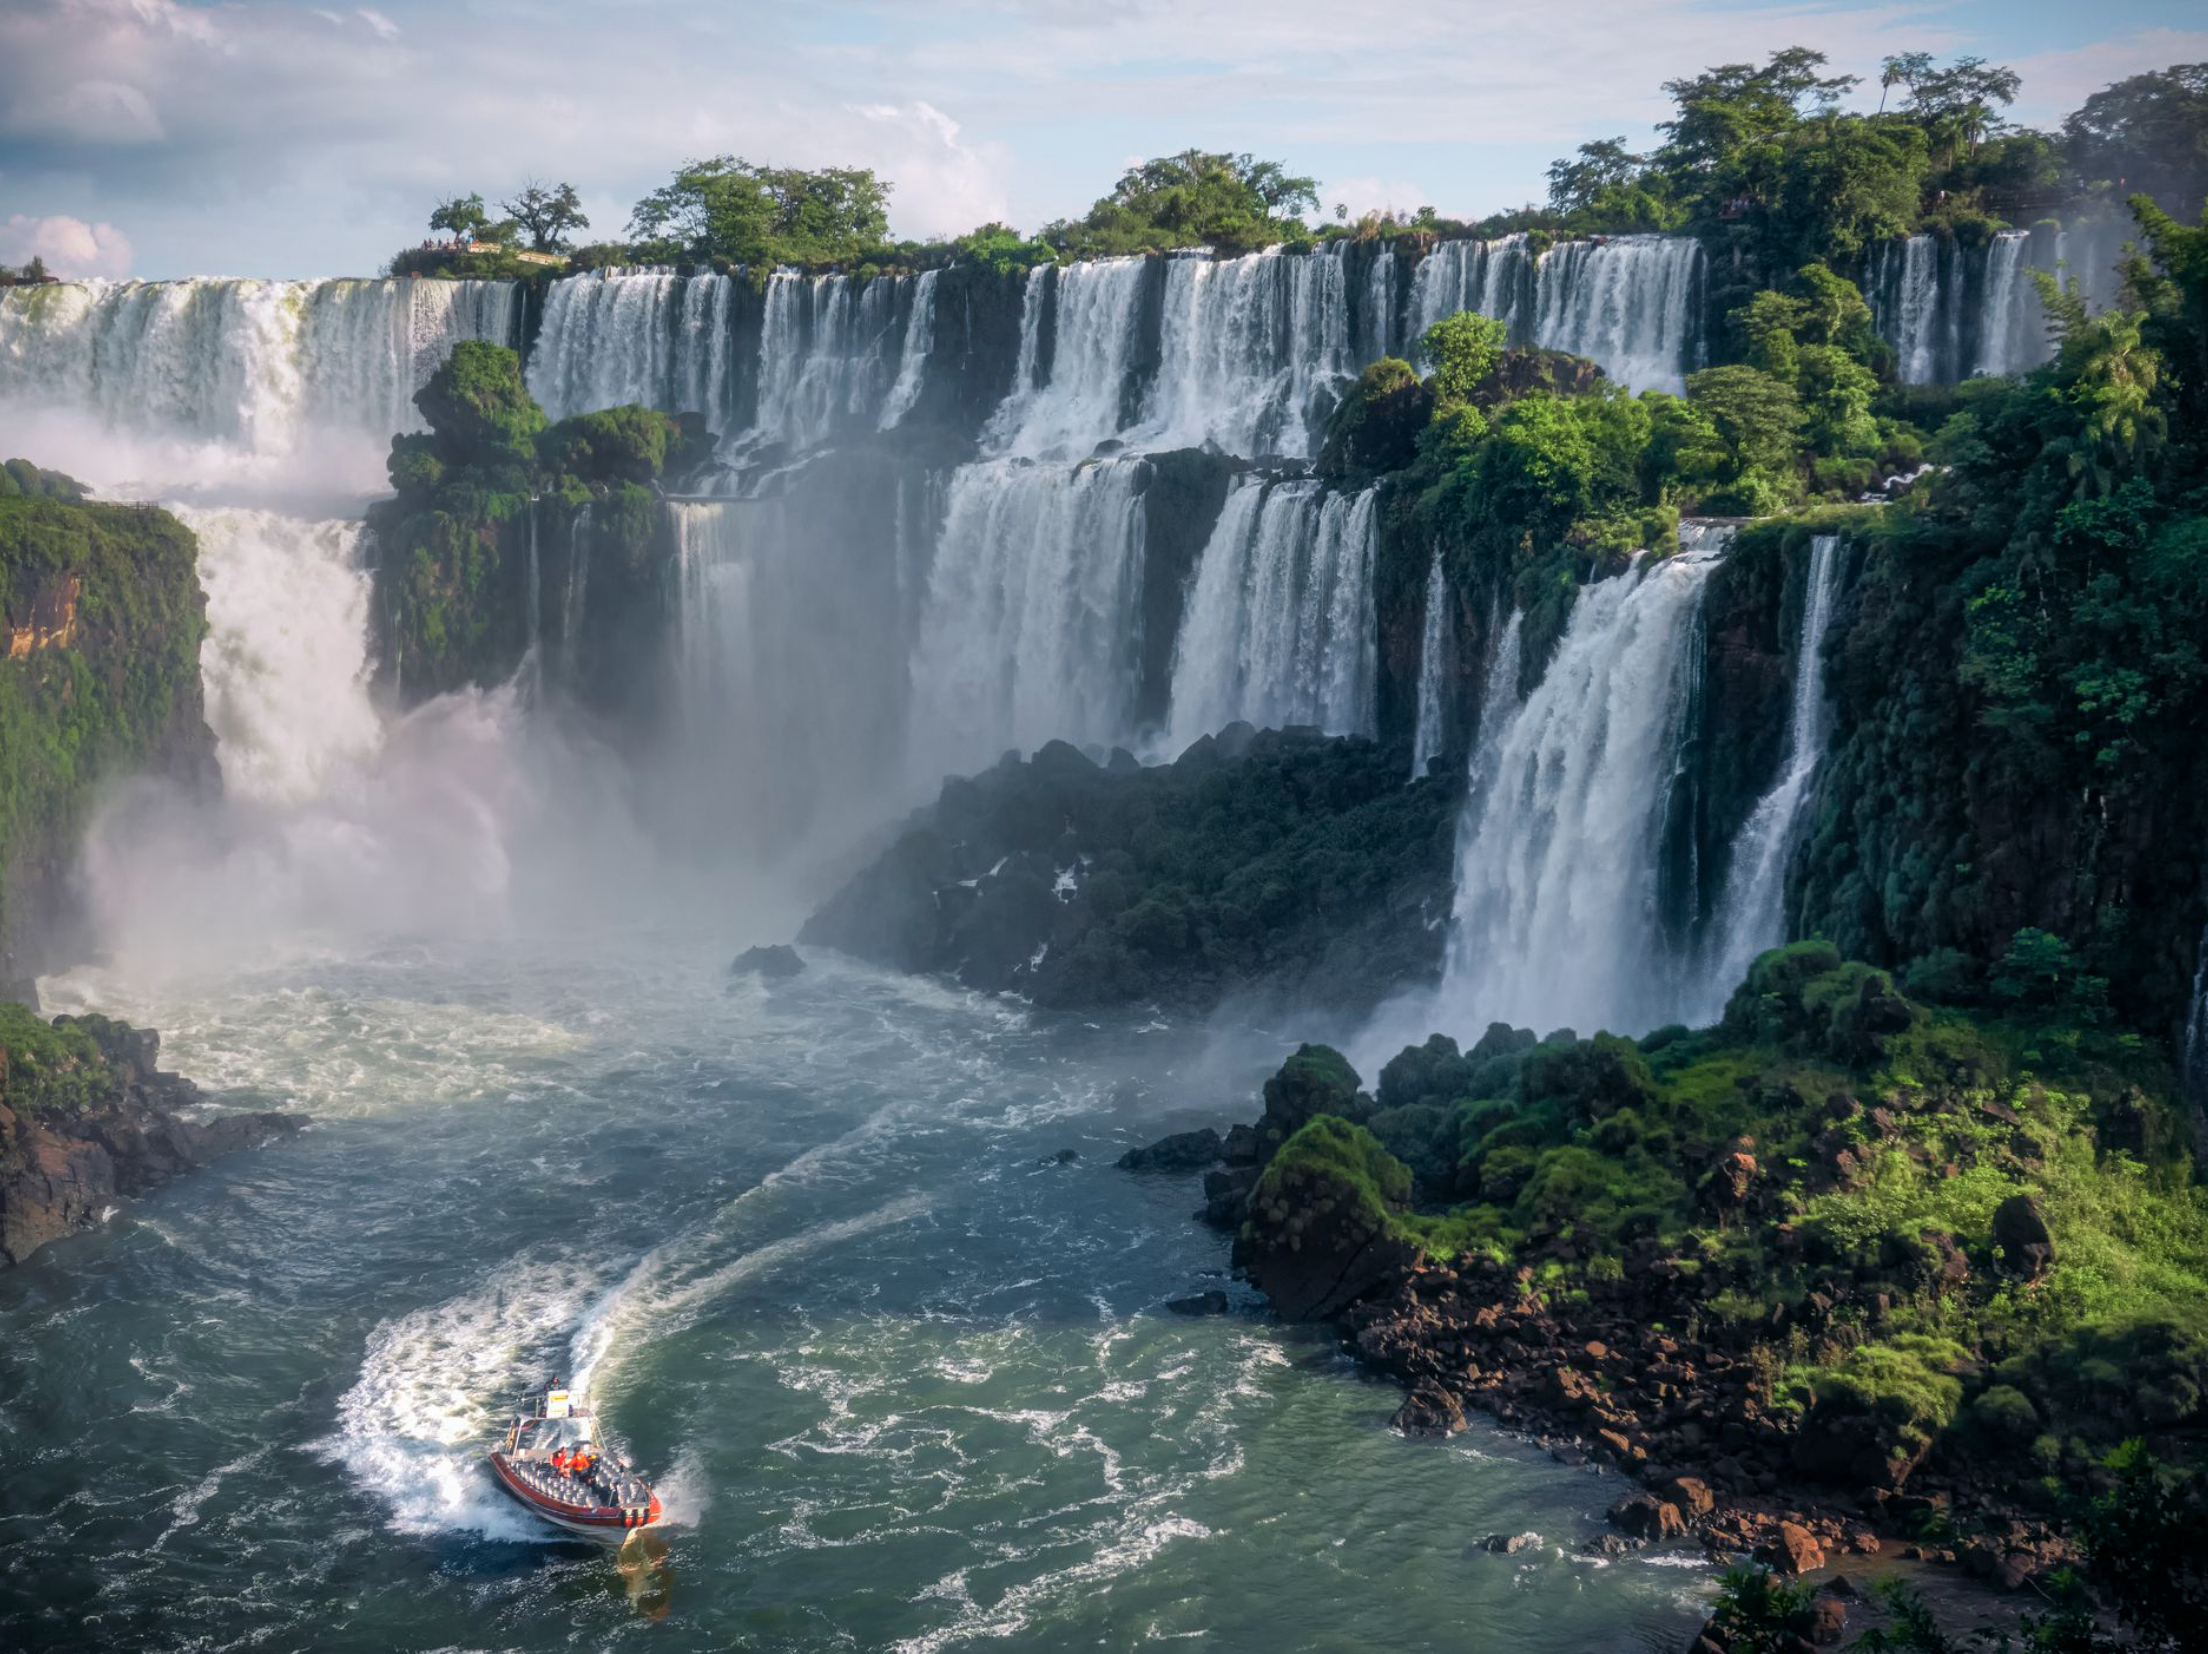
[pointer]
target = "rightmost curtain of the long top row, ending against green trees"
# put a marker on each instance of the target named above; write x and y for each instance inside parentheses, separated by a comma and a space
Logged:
(1626, 304)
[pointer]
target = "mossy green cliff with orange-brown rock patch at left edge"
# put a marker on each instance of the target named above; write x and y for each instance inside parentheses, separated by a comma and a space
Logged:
(103, 617)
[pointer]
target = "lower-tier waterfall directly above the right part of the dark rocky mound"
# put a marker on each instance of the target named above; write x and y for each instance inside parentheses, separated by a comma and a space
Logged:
(1282, 624)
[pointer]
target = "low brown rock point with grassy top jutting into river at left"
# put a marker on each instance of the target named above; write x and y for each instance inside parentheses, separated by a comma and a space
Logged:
(89, 1121)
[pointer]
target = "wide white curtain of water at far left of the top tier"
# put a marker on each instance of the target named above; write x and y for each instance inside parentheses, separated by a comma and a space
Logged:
(255, 368)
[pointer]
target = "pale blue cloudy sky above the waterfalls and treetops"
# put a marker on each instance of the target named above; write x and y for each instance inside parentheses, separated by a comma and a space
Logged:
(277, 138)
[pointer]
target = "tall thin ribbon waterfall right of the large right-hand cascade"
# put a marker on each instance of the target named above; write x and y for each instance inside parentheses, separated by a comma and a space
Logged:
(1754, 909)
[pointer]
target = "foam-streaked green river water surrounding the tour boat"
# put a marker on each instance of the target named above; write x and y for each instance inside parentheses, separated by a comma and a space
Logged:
(904, 1379)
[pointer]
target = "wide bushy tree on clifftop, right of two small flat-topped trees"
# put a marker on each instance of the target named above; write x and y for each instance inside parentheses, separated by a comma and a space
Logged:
(763, 215)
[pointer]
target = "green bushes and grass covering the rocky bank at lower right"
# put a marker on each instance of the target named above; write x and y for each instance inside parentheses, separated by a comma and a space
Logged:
(1885, 1141)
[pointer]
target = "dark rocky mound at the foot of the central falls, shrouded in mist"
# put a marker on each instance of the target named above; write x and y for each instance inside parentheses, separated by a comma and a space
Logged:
(1282, 865)
